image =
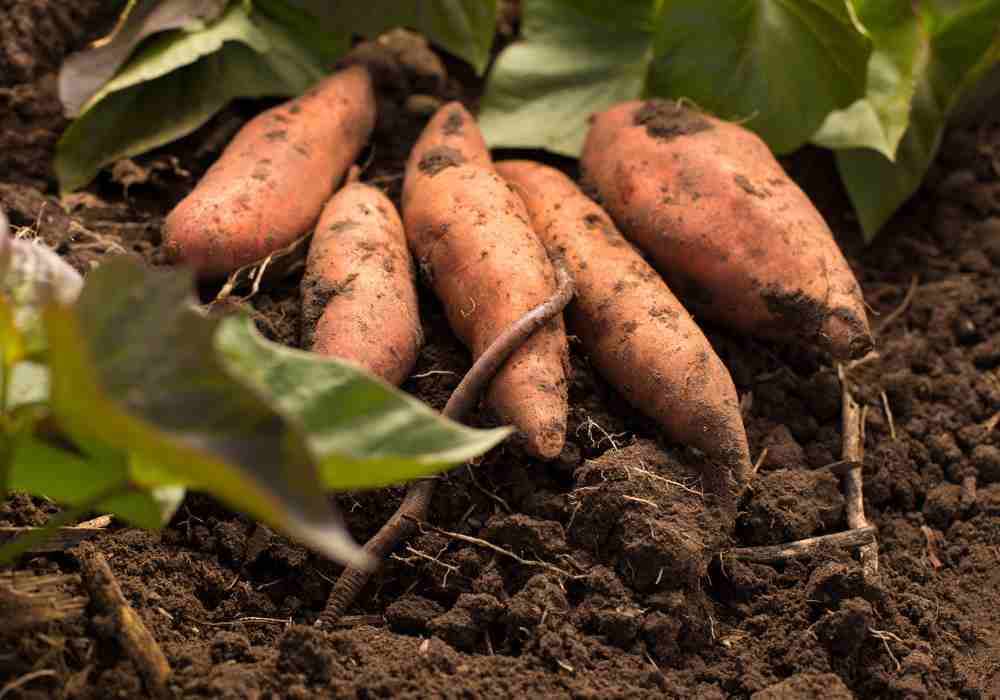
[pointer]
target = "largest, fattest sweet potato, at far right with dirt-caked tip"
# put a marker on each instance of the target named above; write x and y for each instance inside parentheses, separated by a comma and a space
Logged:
(733, 235)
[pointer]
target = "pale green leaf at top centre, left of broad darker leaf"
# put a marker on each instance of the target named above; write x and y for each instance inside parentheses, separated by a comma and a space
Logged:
(574, 58)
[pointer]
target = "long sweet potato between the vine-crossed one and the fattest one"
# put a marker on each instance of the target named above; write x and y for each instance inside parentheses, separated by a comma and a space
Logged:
(638, 335)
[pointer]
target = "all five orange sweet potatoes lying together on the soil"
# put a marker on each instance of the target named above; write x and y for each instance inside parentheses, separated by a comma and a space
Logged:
(730, 238)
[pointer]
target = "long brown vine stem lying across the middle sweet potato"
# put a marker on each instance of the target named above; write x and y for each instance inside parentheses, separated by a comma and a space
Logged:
(403, 524)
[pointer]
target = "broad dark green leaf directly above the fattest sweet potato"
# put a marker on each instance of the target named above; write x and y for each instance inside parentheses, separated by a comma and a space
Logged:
(780, 66)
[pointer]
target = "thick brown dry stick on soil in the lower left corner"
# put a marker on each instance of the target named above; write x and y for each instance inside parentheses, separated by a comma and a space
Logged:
(135, 638)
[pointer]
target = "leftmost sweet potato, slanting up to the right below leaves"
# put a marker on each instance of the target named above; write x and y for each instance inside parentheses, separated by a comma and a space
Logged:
(270, 184)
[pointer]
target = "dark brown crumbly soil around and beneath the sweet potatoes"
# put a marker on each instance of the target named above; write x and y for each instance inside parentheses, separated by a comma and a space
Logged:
(614, 589)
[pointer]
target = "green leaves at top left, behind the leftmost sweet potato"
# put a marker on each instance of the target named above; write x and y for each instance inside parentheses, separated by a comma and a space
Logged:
(187, 67)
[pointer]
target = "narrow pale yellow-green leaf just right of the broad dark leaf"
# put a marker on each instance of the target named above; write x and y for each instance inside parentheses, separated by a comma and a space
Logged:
(879, 120)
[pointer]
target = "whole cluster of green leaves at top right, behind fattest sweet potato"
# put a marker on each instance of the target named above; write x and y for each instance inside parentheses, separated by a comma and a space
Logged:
(876, 80)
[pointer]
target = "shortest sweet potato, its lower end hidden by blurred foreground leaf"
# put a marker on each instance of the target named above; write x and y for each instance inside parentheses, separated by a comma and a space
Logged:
(359, 296)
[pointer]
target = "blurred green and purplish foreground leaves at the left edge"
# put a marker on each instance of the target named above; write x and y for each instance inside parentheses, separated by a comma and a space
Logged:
(140, 396)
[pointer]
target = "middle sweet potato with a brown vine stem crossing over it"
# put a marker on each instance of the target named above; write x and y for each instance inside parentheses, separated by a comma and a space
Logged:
(472, 237)
